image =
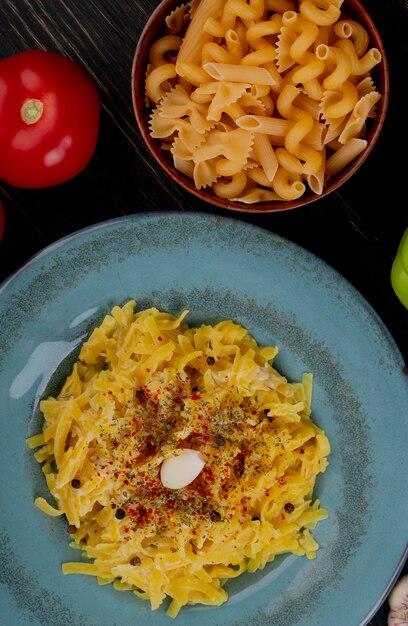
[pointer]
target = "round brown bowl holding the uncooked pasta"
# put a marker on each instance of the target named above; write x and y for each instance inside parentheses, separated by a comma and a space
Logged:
(155, 28)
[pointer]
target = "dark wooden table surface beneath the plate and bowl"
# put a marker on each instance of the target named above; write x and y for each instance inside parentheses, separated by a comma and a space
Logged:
(356, 230)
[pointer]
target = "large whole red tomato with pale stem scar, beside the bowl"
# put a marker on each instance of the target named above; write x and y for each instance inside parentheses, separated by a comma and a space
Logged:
(49, 119)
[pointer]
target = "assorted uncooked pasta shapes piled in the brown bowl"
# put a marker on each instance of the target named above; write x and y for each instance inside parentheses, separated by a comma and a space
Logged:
(254, 99)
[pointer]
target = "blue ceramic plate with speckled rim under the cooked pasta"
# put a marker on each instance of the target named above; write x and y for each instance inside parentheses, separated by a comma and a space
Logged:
(218, 268)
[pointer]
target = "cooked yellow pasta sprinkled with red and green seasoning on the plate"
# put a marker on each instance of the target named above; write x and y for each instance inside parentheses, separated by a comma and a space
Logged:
(145, 388)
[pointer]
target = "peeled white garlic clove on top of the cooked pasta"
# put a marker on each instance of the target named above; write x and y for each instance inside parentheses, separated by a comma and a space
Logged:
(180, 470)
